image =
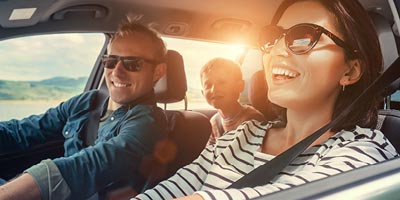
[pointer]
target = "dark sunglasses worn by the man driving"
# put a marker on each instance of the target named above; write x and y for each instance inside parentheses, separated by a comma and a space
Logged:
(130, 63)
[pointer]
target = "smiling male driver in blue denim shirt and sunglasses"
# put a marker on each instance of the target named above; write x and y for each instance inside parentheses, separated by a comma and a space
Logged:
(128, 131)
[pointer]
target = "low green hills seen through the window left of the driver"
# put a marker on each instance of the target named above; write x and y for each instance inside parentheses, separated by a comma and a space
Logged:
(56, 88)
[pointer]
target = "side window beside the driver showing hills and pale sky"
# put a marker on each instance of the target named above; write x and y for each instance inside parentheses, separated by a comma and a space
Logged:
(39, 72)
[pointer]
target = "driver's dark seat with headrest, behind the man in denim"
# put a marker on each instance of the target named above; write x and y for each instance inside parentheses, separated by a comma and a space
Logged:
(188, 130)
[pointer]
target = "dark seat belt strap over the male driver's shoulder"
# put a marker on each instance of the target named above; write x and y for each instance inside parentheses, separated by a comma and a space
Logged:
(92, 125)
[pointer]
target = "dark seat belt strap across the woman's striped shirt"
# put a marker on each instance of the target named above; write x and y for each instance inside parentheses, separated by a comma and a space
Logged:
(266, 172)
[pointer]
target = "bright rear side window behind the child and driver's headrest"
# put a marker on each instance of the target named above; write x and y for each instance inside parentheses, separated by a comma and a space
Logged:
(197, 53)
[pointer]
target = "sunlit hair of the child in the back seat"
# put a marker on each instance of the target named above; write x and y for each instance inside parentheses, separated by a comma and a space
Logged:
(232, 68)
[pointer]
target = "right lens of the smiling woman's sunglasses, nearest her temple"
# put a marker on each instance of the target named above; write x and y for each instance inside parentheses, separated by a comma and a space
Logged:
(301, 39)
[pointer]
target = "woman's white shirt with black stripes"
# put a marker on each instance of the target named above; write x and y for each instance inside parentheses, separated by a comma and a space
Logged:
(237, 153)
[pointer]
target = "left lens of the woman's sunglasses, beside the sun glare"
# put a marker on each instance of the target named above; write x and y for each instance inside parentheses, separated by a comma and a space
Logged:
(269, 37)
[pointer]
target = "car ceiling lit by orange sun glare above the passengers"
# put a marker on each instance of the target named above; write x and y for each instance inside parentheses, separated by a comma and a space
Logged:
(236, 21)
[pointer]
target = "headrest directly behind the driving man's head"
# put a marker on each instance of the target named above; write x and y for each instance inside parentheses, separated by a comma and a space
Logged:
(172, 87)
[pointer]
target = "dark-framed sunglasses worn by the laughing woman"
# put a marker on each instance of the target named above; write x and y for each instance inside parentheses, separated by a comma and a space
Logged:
(299, 39)
